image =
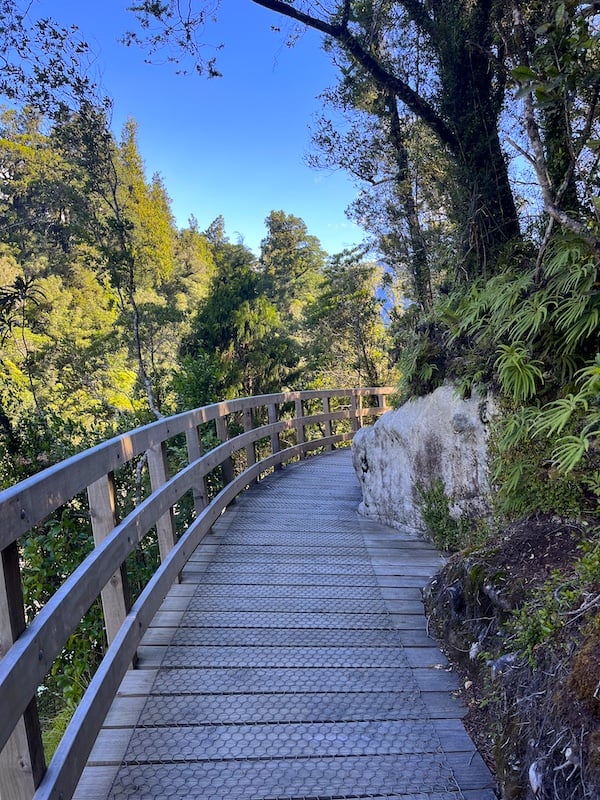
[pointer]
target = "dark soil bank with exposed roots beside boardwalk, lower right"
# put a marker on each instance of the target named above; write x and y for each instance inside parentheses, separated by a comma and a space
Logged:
(534, 723)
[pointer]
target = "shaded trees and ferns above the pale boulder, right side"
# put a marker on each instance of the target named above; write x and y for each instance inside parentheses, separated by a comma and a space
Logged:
(473, 132)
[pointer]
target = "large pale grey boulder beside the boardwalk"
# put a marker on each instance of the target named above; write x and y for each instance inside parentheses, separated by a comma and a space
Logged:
(436, 437)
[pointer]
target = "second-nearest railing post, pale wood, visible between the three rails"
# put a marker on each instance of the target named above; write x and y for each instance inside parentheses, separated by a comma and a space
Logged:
(103, 516)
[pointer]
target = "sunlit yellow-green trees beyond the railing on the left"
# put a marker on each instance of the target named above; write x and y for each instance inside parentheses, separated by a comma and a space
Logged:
(111, 315)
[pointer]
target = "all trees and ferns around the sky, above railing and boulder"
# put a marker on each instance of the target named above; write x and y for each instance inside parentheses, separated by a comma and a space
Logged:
(472, 131)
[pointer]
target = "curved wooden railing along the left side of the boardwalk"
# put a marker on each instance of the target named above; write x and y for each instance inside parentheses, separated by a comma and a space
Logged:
(28, 651)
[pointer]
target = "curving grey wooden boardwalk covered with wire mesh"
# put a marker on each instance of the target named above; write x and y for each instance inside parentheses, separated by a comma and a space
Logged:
(292, 662)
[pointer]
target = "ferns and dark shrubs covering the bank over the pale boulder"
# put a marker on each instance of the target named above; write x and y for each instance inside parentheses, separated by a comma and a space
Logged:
(528, 335)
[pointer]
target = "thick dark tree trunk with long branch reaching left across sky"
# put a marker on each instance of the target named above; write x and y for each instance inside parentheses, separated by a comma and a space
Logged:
(465, 116)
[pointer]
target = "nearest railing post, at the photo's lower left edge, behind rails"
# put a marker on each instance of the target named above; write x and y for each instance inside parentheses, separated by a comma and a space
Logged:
(22, 763)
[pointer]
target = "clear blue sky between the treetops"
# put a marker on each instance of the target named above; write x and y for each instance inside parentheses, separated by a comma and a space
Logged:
(236, 145)
